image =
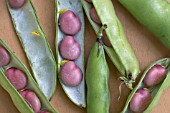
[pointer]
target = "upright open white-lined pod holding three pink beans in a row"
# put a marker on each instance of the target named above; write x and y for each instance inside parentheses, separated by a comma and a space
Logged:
(70, 49)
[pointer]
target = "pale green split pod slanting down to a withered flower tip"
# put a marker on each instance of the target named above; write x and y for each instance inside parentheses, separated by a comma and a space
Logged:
(121, 52)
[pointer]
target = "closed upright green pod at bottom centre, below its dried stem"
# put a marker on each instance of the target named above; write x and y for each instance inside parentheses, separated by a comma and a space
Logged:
(98, 97)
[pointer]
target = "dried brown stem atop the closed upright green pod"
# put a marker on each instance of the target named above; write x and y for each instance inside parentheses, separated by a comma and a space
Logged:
(99, 36)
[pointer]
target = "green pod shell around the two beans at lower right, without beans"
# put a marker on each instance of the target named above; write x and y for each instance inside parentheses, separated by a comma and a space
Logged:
(156, 90)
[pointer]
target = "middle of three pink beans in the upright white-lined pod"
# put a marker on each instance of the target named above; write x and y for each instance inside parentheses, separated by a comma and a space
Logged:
(69, 48)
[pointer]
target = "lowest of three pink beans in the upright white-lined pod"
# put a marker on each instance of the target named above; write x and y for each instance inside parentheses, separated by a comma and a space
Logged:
(70, 74)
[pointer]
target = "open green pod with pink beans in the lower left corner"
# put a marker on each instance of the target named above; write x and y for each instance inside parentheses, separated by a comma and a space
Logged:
(19, 83)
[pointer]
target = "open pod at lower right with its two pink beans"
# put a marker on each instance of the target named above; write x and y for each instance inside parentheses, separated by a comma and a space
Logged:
(145, 95)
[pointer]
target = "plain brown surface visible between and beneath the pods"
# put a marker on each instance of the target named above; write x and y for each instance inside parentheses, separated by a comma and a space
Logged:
(147, 49)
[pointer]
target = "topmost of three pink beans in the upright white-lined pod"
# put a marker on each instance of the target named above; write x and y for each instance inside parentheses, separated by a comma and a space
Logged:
(69, 23)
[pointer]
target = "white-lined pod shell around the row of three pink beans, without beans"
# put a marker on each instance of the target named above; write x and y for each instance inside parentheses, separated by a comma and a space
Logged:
(76, 94)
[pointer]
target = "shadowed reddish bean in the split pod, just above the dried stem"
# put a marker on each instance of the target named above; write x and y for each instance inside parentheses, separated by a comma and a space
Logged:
(94, 16)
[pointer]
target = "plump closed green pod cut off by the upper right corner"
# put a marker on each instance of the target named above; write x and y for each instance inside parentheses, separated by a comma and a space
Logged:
(152, 14)
